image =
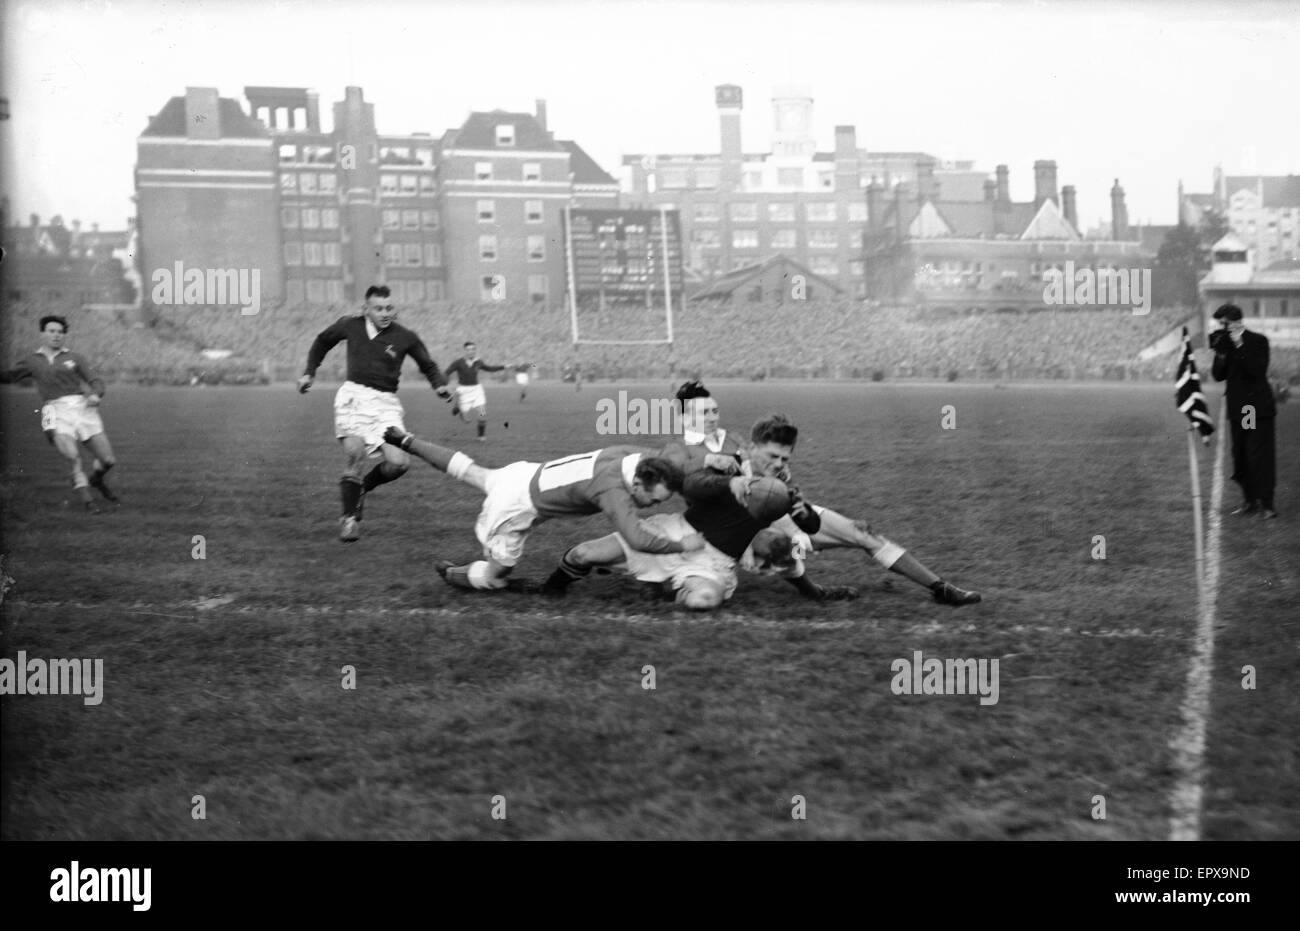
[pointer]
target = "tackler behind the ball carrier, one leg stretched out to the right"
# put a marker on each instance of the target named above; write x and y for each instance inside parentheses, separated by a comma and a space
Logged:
(837, 530)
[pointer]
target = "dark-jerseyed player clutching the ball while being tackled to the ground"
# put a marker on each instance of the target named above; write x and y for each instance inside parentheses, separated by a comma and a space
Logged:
(717, 510)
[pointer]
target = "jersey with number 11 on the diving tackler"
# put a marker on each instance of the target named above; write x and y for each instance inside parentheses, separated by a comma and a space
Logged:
(592, 483)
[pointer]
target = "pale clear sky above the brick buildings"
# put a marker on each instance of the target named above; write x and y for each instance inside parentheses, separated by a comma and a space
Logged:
(1147, 93)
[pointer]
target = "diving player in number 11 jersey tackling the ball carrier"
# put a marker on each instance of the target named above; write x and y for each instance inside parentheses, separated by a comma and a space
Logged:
(616, 480)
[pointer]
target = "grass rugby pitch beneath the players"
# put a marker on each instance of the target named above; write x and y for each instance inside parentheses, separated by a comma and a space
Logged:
(223, 677)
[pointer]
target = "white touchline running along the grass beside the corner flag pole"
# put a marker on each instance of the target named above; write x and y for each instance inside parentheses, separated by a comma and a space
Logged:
(1189, 744)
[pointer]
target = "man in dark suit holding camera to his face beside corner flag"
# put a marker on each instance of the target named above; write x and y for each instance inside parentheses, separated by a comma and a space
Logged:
(1242, 361)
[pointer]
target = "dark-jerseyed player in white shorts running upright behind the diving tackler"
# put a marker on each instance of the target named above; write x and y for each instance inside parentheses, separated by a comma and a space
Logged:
(367, 404)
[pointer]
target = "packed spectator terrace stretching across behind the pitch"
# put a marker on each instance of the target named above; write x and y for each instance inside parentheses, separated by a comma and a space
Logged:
(809, 340)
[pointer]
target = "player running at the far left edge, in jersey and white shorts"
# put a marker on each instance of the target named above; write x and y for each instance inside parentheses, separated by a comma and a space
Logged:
(72, 395)
